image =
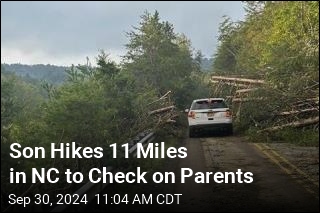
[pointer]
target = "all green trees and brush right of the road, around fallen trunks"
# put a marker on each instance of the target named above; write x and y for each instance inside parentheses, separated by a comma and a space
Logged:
(277, 42)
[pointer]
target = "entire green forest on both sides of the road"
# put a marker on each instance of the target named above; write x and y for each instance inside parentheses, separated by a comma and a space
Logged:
(109, 103)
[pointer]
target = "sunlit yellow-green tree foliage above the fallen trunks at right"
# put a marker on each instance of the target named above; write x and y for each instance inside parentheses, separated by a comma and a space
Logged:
(277, 40)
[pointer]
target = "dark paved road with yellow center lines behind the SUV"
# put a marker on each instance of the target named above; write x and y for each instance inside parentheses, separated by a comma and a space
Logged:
(275, 187)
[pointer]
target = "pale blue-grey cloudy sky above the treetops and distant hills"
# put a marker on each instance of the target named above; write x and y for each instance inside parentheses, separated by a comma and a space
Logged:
(64, 33)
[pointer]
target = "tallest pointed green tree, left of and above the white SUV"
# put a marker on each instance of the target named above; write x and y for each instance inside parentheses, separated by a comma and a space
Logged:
(163, 59)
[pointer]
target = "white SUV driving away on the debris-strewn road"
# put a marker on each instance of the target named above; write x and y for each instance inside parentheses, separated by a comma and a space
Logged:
(209, 114)
